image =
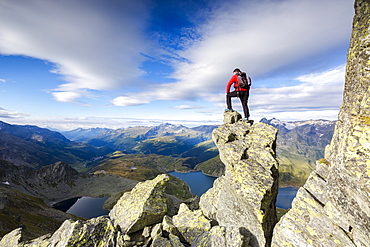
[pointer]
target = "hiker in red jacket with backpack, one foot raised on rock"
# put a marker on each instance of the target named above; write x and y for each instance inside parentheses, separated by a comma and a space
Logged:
(241, 92)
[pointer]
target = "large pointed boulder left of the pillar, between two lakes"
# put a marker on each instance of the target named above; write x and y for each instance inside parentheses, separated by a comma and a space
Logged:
(145, 205)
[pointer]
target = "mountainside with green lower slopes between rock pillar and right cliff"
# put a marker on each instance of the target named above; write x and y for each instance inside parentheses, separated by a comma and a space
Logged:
(299, 145)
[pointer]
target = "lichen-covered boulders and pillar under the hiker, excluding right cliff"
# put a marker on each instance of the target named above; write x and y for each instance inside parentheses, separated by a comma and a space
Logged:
(238, 211)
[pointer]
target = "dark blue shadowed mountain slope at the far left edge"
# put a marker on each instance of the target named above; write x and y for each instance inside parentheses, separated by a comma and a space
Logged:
(36, 147)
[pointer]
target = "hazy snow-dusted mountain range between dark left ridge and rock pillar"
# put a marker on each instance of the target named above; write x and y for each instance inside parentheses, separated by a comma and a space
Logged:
(165, 139)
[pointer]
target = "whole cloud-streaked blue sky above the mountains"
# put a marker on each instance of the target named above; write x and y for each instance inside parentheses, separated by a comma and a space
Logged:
(118, 63)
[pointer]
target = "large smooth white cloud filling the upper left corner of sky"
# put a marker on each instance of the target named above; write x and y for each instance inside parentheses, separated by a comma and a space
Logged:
(93, 45)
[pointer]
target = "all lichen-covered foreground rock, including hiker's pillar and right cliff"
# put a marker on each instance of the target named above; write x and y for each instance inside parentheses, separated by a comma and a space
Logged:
(331, 209)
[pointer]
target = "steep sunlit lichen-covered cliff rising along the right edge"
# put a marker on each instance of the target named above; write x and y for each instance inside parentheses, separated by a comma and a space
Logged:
(333, 207)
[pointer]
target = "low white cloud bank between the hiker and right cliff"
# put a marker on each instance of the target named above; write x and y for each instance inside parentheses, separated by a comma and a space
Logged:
(315, 94)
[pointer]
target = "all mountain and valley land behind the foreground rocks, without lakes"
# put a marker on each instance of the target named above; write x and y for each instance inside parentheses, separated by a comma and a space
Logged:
(47, 166)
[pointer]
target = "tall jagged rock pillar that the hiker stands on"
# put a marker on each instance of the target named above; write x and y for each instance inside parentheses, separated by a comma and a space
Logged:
(244, 198)
